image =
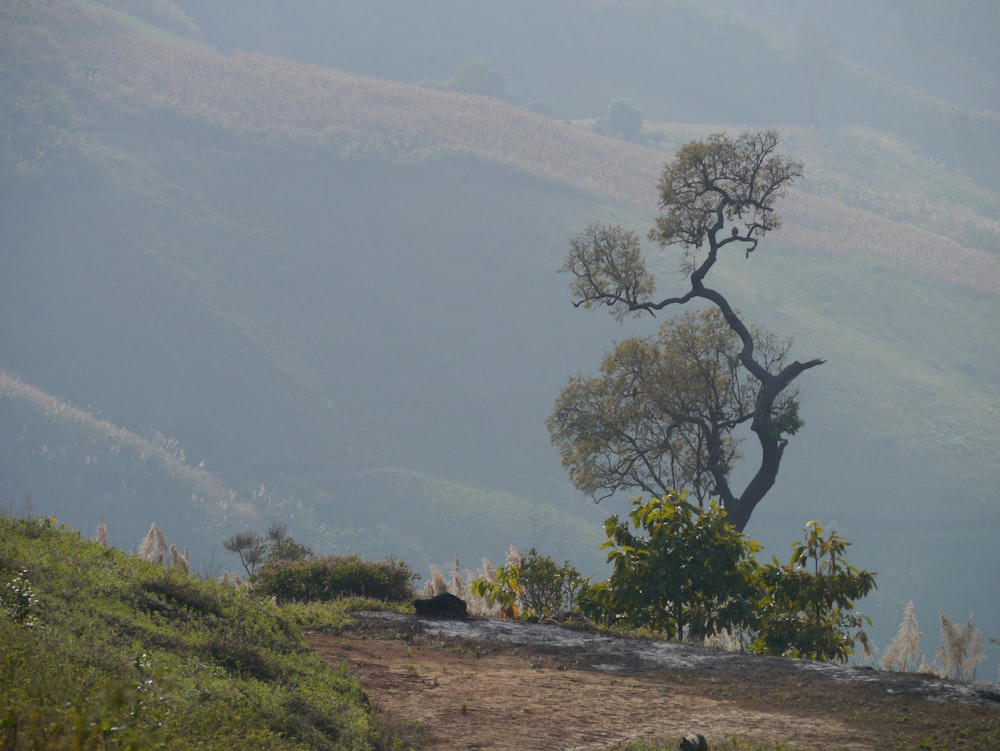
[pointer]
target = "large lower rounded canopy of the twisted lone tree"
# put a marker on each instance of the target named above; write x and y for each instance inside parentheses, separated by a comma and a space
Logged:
(663, 410)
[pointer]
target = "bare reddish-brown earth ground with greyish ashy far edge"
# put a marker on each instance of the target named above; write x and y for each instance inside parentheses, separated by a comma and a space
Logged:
(499, 685)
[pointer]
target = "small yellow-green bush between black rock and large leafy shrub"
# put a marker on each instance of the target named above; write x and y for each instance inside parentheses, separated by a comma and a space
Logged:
(533, 587)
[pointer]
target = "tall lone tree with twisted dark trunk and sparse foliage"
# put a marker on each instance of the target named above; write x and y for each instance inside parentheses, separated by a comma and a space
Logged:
(663, 412)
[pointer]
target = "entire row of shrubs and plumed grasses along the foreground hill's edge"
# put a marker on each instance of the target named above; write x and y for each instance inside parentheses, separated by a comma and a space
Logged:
(678, 572)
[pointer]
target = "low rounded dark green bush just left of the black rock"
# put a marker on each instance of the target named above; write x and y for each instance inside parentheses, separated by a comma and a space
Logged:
(334, 577)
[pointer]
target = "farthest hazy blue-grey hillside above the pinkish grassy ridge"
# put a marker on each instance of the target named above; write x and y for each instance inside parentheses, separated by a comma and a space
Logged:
(926, 72)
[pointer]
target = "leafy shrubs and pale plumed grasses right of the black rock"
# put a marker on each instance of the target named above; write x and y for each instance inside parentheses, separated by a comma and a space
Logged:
(687, 575)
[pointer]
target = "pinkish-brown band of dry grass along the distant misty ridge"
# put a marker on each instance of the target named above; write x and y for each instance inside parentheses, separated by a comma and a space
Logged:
(358, 117)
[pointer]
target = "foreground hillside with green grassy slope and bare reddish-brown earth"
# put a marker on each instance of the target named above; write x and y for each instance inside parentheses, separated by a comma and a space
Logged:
(124, 654)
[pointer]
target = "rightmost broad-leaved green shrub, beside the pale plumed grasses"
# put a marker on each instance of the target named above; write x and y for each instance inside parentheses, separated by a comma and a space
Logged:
(808, 606)
